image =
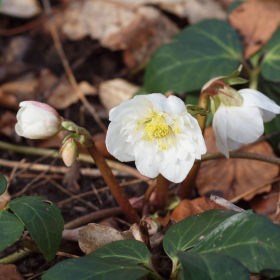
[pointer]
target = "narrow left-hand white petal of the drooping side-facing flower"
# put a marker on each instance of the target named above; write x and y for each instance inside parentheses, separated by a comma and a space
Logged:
(220, 130)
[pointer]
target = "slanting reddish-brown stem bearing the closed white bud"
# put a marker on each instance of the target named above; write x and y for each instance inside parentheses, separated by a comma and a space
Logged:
(113, 184)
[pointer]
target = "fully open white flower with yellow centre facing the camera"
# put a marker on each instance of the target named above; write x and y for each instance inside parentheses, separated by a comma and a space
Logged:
(158, 133)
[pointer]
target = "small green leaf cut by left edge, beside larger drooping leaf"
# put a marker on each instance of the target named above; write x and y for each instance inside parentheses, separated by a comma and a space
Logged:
(11, 229)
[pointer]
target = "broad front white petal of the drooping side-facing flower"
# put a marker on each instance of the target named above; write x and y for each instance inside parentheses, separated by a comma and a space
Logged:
(244, 124)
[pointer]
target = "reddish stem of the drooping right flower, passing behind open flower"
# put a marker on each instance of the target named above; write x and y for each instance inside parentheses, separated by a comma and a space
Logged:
(187, 185)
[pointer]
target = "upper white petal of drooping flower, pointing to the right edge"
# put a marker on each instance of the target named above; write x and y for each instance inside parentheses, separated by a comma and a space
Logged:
(253, 97)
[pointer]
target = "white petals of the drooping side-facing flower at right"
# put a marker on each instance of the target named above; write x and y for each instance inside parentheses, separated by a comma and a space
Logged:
(235, 125)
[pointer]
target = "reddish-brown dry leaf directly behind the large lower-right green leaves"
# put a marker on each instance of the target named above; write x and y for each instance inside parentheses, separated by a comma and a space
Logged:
(188, 207)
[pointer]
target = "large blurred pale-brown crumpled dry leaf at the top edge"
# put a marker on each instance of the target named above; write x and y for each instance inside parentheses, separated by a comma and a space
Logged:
(119, 26)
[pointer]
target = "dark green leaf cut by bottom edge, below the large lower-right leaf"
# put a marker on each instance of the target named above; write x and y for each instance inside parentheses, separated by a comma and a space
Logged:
(211, 267)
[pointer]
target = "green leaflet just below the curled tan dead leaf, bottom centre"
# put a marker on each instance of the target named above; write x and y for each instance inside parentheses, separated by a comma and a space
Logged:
(126, 251)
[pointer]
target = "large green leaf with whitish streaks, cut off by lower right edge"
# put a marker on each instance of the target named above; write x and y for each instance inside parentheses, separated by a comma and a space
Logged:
(250, 238)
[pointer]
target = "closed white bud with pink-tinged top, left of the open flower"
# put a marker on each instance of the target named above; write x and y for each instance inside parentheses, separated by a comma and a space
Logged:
(37, 120)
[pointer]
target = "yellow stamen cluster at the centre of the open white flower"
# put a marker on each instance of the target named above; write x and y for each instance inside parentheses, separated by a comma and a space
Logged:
(156, 128)
